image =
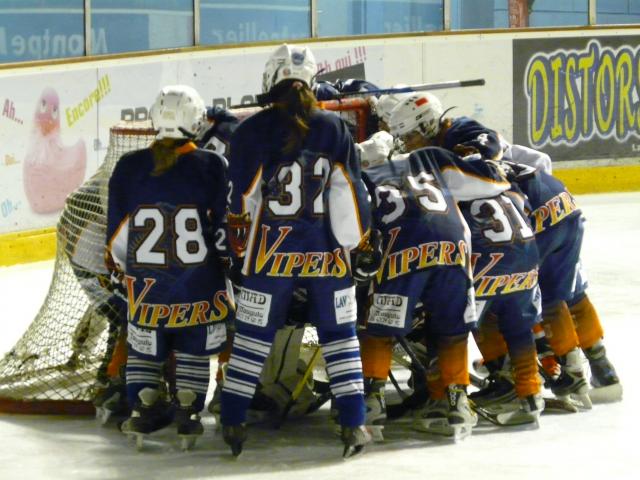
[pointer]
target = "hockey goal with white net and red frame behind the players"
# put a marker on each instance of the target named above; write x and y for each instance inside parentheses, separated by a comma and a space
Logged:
(62, 358)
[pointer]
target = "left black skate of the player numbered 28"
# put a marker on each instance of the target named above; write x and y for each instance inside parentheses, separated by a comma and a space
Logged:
(150, 414)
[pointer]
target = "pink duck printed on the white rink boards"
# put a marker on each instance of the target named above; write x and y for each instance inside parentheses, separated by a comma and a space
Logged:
(51, 170)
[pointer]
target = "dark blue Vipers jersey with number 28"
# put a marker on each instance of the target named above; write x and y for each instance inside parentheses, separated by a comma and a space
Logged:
(163, 231)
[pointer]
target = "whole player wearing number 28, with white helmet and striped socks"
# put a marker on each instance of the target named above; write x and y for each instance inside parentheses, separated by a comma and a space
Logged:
(165, 203)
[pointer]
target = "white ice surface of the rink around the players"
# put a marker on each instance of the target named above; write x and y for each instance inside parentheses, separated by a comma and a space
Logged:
(597, 444)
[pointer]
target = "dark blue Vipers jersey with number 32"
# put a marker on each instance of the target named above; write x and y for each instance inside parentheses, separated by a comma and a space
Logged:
(308, 208)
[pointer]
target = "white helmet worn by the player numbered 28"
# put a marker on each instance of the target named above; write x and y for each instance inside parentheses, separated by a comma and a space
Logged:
(178, 112)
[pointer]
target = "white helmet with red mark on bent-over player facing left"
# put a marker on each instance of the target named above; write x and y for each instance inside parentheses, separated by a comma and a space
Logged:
(418, 112)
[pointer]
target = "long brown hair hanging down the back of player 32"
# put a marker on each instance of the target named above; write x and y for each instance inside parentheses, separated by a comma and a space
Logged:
(294, 101)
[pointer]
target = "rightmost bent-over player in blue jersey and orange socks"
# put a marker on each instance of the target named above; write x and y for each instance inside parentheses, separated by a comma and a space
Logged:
(558, 225)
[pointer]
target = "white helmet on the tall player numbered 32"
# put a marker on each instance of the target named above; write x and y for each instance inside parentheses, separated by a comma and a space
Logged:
(289, 62)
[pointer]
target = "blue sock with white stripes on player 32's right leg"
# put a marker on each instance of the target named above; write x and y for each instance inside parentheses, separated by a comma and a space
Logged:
(342, 355)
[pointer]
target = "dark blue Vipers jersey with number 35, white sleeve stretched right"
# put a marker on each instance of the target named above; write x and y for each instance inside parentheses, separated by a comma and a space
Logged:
(416, 210)
